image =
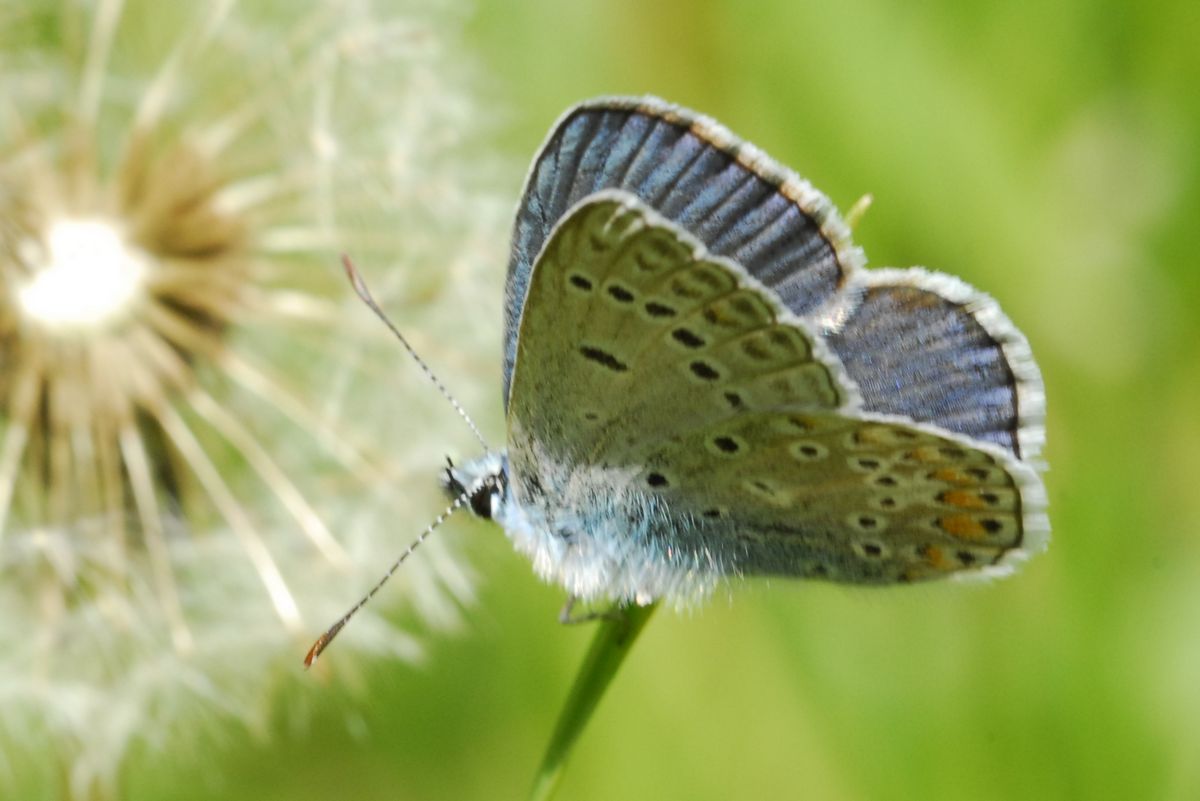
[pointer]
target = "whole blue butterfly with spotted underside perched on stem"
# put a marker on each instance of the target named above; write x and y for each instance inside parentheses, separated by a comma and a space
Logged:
(703, 381)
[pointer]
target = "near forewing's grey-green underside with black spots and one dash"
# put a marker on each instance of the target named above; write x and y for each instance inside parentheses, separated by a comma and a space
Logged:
(638, 334)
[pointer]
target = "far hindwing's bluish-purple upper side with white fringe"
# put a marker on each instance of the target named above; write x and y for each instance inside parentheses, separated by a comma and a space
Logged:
(932, 348)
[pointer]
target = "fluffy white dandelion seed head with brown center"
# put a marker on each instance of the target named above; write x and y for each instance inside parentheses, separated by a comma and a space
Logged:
(194, 432)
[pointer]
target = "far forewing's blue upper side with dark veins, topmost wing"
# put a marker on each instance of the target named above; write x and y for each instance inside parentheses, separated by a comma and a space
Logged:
(691, 170)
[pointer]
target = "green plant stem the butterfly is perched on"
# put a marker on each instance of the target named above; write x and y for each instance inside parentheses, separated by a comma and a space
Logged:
(616, 636)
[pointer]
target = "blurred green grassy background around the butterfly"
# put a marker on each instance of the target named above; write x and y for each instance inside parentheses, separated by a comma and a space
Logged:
(1046, 153)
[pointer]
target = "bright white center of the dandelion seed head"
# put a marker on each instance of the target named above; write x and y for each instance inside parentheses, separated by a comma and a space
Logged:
(89, 276)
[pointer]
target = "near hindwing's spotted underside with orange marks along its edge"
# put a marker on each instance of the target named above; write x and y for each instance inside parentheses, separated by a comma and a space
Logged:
(853, 499)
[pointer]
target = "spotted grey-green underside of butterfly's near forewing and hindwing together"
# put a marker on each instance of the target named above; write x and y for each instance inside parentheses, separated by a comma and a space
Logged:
(644, 356)
